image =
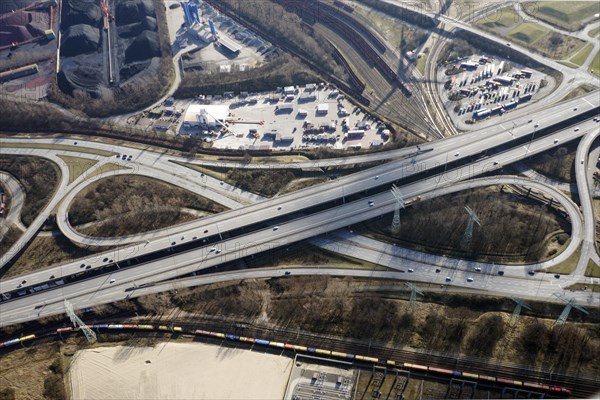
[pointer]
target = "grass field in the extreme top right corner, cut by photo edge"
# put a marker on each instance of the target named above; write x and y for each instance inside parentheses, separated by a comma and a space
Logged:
(568, 15)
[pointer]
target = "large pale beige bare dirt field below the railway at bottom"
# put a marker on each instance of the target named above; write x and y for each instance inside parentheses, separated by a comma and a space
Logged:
(177, 371)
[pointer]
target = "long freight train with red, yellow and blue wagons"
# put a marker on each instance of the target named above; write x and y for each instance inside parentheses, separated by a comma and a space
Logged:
(310, 350)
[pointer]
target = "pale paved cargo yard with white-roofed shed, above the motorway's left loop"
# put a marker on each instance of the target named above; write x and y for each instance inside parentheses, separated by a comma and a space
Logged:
(293, 117)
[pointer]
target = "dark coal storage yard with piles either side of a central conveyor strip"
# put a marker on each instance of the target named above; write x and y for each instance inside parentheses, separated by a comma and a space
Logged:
(134, 40)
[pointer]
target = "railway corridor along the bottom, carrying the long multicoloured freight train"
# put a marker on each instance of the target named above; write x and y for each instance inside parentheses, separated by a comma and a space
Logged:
(506, 375)
